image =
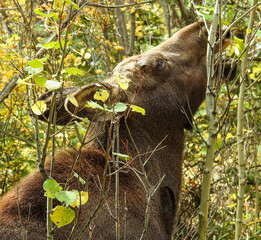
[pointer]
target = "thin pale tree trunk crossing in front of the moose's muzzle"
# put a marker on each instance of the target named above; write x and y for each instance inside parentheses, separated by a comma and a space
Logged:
(211, 114)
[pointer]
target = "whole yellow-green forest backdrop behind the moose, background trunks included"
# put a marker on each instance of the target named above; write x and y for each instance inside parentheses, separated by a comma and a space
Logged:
(80, 42)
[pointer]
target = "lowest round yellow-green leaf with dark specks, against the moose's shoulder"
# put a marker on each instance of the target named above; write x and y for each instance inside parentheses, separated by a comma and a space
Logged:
(62, 216)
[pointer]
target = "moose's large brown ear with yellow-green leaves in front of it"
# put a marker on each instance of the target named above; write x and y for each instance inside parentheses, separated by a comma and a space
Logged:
(72, 103)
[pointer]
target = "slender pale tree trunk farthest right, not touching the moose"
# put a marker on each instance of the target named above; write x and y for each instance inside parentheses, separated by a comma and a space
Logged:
(240, 125)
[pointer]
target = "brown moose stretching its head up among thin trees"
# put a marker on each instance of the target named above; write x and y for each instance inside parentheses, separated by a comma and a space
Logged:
(169, 82)
